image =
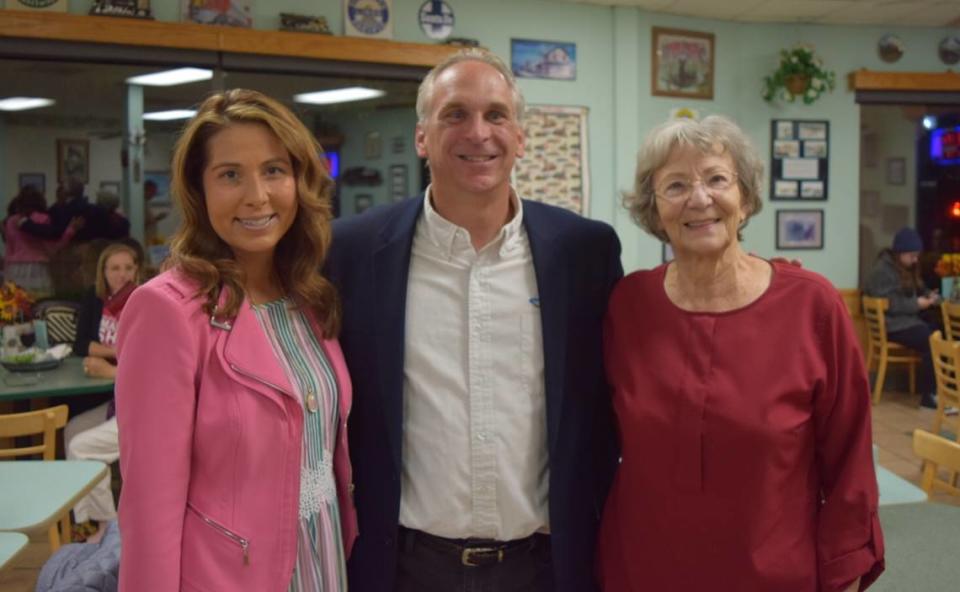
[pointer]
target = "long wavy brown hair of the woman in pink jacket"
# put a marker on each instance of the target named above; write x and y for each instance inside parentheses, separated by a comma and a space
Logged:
(203, 256)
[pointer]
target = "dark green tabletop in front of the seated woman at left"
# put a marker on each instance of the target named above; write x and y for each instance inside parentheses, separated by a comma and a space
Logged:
(64, 381)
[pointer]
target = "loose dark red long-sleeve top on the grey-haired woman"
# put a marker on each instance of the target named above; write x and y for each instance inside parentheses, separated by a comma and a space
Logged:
(747, 462)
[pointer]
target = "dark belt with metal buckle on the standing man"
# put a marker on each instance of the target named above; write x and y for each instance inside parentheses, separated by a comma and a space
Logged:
(472, 552)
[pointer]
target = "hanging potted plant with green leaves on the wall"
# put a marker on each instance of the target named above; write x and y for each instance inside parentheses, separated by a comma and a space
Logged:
(800, 75)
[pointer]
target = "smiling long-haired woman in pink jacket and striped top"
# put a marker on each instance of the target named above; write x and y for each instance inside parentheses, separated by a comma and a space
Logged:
(232, 392)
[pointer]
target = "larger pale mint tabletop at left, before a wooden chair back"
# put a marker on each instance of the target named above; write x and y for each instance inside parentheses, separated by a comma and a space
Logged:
(36, 493)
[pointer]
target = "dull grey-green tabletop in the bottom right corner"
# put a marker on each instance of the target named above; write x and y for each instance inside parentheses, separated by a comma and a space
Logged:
(922, 543)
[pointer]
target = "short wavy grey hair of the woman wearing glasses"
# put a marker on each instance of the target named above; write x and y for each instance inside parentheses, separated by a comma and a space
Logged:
(714, 135)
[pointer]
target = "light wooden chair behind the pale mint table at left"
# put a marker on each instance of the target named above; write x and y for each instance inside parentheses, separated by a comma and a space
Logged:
(43, 422)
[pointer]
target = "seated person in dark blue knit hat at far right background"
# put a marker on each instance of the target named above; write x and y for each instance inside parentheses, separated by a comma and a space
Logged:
(896, 277)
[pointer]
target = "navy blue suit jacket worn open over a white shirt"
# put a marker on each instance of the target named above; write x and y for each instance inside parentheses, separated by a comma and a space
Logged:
(577, 262)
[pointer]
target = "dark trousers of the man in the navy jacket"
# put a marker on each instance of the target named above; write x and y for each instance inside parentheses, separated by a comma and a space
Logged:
(430, 564)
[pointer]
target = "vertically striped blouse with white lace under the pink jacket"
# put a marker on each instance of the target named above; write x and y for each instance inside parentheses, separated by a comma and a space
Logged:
(321, 564)
